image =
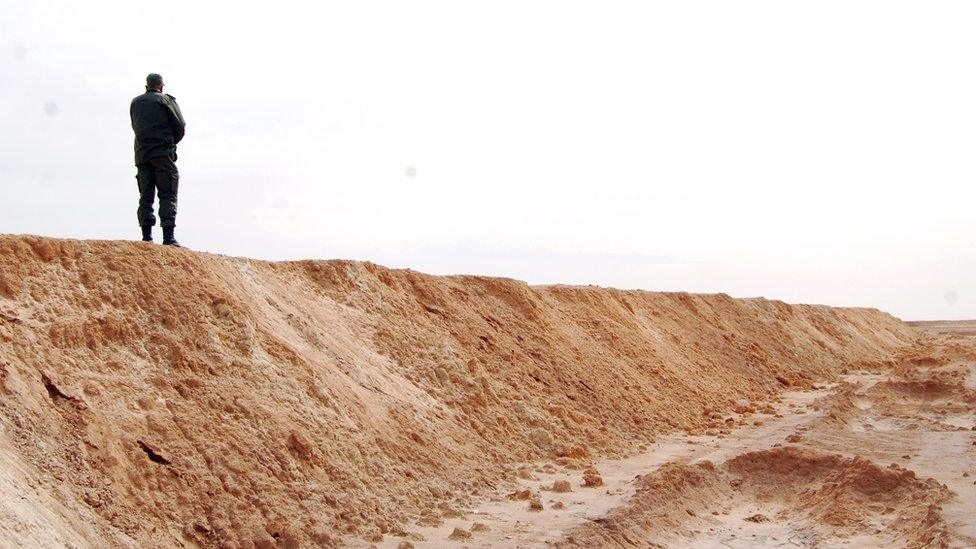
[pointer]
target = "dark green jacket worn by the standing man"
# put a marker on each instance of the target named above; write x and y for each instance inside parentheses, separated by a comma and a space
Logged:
(158, 123)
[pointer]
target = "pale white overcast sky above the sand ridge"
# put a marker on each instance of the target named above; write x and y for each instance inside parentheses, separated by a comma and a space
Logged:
(813, 152)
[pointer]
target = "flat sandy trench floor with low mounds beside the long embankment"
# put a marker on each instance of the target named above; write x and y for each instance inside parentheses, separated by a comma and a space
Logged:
(727, 508)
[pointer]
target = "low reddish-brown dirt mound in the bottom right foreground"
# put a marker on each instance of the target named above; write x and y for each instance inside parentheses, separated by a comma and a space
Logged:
(817, 497)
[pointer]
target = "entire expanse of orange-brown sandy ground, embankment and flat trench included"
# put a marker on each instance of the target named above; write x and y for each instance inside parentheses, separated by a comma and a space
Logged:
(156, 397)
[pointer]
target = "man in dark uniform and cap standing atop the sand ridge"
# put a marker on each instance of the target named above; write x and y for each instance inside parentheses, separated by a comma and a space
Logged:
(159, 126)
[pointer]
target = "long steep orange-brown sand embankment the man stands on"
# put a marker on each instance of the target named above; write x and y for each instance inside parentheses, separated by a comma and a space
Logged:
(157, 397)
